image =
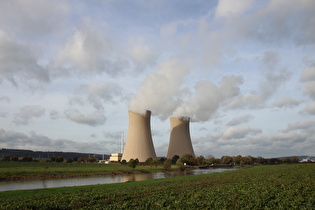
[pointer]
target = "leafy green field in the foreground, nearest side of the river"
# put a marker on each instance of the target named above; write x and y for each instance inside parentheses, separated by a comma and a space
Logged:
(263, 187)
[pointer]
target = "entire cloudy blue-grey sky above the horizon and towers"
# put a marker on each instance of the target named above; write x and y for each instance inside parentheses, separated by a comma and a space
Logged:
(243, 71)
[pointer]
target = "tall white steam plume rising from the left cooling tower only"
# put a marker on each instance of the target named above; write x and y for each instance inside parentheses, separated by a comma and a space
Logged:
(161, 90)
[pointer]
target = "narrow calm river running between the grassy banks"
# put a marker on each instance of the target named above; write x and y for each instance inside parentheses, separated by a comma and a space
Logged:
(107, 179)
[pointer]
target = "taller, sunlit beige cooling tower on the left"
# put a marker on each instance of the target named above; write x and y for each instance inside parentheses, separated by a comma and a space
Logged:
(139, 139)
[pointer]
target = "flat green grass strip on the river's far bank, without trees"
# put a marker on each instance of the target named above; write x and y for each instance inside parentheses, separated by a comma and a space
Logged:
(35, 170)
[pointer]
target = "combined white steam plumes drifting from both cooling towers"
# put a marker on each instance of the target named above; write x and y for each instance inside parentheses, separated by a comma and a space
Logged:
(164, 94)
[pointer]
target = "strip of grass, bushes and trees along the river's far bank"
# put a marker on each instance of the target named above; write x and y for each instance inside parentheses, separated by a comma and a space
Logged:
(27, 168)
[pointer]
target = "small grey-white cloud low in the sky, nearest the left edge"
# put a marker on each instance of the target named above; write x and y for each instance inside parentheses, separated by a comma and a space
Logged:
(27, 113)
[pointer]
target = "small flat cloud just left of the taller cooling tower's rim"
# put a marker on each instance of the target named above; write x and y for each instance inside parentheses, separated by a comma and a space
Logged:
(91, 119)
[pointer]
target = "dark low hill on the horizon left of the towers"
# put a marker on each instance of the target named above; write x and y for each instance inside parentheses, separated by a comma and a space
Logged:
(48, 154)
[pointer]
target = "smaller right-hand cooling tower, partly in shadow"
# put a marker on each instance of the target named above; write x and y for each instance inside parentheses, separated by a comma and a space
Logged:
(180, 142)
